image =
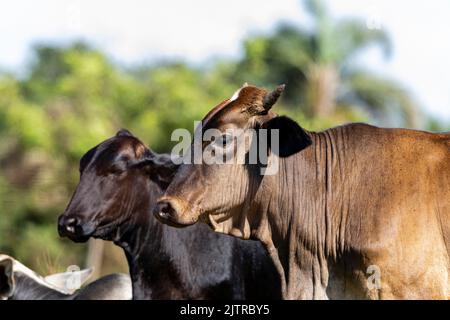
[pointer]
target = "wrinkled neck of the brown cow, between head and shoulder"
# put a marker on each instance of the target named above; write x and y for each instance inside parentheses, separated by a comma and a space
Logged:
(302, 224)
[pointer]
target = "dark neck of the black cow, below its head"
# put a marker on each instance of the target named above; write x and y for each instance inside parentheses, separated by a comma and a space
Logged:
(152, 250)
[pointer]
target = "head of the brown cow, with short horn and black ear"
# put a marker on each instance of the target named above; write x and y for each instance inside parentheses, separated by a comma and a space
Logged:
(219, 194)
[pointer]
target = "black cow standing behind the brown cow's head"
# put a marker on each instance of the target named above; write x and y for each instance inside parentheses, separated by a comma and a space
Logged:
(113, 201)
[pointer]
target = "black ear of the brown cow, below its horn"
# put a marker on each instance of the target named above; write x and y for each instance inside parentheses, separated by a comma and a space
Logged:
(291, 137)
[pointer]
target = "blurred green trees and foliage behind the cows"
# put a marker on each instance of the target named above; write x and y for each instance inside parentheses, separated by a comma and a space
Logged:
(73, 97)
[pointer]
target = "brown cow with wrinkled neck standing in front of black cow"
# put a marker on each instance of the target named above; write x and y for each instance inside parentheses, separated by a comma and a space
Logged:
(354, 211)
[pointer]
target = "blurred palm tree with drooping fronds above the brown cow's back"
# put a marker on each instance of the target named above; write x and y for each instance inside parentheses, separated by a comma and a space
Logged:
(318, 65)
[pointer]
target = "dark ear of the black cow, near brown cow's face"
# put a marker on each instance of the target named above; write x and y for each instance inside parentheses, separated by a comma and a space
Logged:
(159, 167)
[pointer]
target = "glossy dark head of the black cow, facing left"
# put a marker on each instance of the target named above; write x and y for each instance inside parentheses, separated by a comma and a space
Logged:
(114, 184)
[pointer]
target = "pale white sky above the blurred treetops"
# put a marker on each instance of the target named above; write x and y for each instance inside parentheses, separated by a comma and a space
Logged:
(136, 31)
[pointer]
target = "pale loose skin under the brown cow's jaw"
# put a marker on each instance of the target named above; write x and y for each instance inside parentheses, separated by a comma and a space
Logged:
(228, 224)
